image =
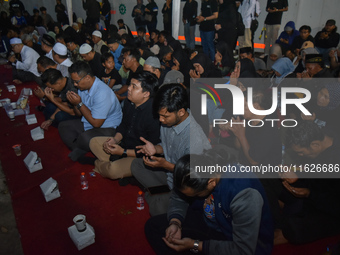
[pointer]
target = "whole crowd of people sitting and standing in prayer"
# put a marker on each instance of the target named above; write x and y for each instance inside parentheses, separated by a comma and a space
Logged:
(134, 102)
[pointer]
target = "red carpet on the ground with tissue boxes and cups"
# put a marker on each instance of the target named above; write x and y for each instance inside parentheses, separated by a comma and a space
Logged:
(109, 208)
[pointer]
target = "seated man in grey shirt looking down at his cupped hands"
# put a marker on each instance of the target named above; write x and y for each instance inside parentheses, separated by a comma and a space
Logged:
(171, 103)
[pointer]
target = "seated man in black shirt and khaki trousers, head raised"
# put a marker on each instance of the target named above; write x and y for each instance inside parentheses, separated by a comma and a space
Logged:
(115, 154)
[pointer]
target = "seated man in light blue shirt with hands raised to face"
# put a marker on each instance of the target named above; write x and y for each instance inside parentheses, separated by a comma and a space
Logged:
(96, 103)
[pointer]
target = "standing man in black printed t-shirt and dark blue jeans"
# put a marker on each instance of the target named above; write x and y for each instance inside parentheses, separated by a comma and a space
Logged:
(209, 12)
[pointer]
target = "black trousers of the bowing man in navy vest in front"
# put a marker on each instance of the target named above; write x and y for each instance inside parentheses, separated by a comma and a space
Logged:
(193, 227)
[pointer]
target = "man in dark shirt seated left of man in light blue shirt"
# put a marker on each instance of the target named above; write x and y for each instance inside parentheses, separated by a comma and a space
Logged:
(58, 108)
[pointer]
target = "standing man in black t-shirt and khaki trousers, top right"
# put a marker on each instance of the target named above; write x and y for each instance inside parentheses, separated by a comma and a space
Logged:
(275, 9)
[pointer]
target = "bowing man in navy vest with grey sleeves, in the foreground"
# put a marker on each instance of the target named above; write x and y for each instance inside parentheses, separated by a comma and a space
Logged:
(233, 219)
